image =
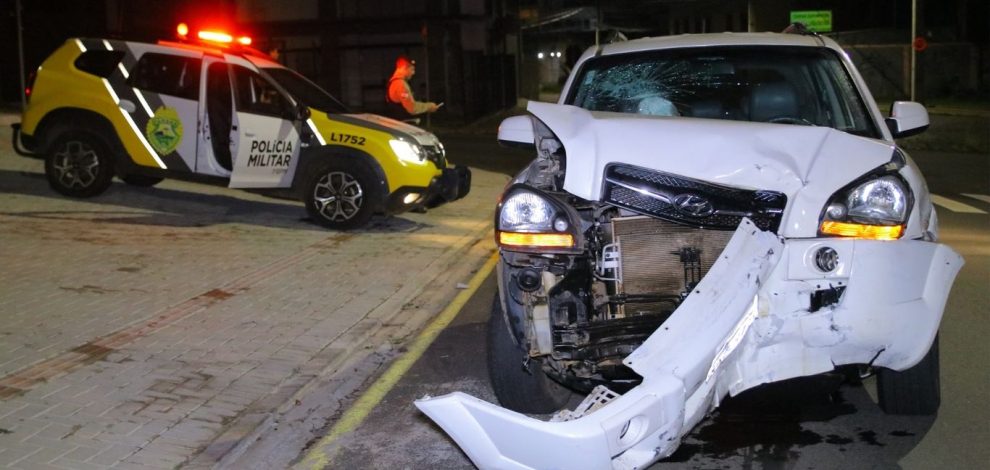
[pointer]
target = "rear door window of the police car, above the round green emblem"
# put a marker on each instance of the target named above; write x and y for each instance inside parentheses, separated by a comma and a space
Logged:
(167, 74)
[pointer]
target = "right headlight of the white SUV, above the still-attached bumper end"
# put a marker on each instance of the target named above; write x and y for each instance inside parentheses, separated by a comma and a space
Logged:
(876, 207)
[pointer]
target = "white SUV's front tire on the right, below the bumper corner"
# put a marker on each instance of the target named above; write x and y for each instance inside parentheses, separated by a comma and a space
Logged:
(914, 391)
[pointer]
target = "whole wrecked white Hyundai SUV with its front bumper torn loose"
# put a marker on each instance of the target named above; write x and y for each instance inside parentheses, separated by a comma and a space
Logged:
(706, 213)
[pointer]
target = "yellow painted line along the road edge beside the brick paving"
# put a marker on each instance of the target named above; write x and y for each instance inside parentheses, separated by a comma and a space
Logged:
(355, 415)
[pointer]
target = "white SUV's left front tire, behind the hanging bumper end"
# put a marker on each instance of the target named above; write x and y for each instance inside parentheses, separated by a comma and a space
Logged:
(519, 386)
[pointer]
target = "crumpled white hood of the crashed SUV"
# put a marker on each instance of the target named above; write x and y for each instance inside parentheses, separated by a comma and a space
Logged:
(798, 161)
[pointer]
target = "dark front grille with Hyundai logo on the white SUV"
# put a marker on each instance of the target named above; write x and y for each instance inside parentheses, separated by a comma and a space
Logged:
(690, 202)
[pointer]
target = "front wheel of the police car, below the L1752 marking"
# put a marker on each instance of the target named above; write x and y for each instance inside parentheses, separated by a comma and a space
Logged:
(341, 196)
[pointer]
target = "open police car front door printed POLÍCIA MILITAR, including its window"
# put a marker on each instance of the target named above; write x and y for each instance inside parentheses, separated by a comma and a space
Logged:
(265, 136)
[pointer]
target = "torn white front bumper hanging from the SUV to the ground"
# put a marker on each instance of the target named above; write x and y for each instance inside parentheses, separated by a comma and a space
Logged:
(751, 320)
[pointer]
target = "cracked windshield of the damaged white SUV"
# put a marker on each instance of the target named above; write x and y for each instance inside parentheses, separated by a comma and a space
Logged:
(786, 85)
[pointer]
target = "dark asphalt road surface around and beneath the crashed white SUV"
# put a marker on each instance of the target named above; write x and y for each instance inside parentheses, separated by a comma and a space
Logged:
(816, 422)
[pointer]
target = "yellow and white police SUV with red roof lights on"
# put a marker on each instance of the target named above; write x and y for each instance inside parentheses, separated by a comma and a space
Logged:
(209, 108)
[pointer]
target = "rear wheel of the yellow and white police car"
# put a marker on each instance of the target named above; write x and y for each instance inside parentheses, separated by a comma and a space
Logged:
(79, 165)
